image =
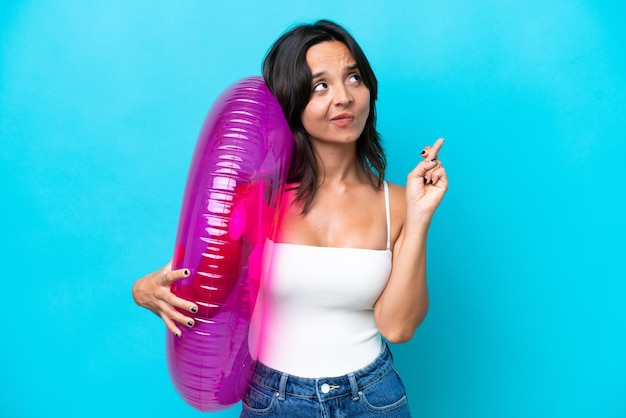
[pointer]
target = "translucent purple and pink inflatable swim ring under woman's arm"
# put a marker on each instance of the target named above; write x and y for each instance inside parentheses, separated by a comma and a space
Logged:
(230, 209)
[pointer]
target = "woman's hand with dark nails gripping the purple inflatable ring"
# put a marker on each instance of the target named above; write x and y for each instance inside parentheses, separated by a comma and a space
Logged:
(152, 292)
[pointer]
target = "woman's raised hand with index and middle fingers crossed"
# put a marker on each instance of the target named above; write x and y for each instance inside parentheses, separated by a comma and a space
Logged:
(427, 183)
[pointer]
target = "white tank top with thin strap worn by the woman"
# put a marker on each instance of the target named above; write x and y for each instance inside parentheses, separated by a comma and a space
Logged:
(316, 316)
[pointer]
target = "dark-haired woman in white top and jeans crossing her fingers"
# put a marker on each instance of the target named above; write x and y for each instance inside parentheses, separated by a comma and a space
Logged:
(349, 262)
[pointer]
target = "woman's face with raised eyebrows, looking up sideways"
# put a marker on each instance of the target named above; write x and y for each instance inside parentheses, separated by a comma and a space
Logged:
(340, 102)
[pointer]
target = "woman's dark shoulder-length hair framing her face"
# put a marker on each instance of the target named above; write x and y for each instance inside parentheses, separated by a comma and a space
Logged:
(288, 76)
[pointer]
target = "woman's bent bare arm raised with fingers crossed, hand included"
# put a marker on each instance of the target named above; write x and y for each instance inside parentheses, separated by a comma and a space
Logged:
(402, 306)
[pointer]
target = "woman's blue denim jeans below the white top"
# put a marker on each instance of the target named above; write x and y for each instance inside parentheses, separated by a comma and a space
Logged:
(373, 391)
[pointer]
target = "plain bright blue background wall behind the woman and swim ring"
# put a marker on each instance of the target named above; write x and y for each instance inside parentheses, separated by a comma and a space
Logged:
(100, 106)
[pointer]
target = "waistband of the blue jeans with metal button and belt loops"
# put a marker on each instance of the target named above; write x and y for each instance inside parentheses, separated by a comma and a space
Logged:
(324, 388)
